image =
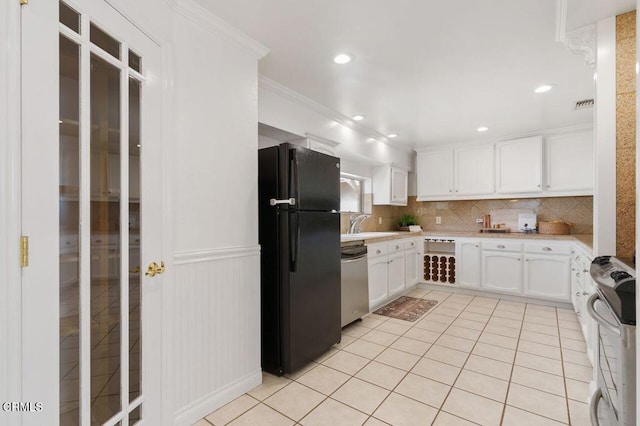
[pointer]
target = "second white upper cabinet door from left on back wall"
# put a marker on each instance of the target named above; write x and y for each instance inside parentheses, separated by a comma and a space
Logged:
(474, 170)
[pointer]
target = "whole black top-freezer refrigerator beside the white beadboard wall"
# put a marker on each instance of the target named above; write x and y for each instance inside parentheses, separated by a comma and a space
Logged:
(299, 232)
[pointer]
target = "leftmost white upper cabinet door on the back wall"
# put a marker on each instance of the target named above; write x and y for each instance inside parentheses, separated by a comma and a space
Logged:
(435, 174)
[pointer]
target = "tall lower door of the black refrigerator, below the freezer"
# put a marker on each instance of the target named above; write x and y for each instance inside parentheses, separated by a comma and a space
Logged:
(311, 294)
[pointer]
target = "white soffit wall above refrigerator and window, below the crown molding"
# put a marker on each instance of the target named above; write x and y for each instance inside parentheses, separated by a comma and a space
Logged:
(287, 110)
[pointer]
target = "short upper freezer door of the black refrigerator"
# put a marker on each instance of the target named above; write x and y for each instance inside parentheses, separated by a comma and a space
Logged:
(313, 179)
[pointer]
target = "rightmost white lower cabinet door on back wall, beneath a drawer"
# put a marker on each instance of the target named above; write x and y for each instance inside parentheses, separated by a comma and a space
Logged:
(547, 276)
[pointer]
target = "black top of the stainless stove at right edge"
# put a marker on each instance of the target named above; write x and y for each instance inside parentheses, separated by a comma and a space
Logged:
(617, 283)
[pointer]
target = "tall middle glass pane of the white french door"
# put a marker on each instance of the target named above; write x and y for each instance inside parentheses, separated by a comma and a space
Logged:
(105, 240)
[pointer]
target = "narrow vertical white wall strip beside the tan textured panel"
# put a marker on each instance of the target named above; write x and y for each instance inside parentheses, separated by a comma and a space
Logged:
(604, 209)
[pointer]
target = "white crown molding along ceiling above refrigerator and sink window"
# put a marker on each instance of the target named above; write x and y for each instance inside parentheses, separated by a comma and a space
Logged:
(279, 89)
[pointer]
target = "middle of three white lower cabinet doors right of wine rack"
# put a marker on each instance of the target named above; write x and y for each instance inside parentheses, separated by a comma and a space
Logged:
(502, 271)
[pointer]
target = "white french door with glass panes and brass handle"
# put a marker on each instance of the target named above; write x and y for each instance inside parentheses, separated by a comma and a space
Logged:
(92, 209)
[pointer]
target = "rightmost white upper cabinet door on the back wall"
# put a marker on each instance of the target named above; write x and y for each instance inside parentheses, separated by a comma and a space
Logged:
(569, 160)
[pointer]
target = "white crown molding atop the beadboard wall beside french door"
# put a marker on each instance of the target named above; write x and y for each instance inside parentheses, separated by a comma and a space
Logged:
(208, 21)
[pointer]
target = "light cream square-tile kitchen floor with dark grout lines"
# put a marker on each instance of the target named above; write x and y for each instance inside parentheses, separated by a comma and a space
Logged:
(470, 360)
